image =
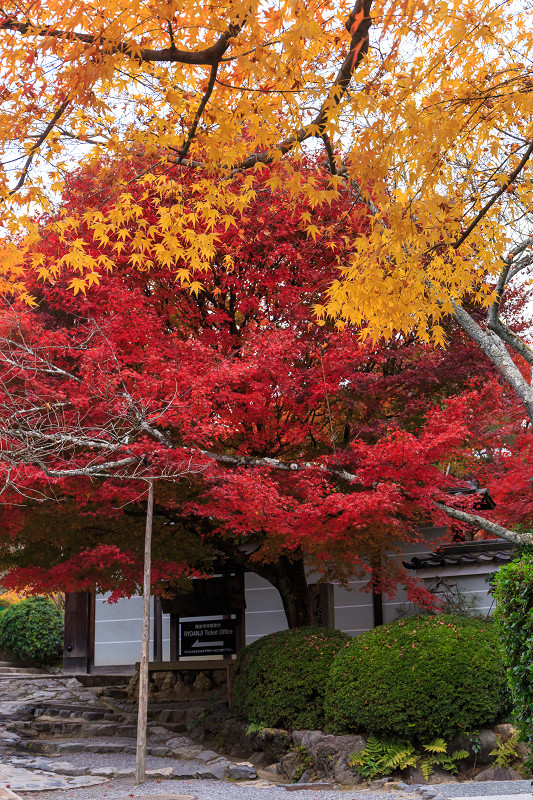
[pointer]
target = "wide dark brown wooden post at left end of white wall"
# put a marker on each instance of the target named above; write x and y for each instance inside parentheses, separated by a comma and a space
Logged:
(79, 637)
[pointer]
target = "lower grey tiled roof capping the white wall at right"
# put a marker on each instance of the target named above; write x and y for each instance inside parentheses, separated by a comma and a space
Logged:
(497, 551)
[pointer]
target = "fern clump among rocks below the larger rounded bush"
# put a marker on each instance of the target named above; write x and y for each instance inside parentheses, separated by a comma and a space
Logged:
(382, 757)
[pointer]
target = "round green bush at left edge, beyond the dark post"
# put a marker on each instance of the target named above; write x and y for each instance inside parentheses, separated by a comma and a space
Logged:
(32, 631)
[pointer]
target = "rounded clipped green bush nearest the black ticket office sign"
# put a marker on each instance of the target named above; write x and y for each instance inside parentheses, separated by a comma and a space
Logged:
(280, 679)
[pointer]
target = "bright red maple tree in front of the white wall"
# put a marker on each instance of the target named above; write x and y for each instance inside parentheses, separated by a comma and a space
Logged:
(311, 447)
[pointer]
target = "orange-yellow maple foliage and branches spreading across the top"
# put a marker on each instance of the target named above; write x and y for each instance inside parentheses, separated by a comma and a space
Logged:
(423, 111)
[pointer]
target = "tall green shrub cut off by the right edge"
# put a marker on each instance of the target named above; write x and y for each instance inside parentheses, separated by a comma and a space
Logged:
(513, 588)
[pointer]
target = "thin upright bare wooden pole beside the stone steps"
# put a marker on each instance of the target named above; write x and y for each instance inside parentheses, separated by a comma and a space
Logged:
(140, 760)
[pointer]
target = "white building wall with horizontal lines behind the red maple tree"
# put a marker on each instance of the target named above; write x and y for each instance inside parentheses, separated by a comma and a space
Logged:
(118, 625)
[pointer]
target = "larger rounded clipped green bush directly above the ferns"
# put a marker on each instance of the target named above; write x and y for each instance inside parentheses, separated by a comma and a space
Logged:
(419, 678)
